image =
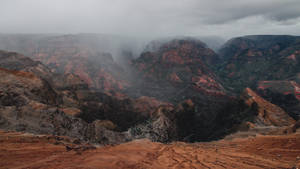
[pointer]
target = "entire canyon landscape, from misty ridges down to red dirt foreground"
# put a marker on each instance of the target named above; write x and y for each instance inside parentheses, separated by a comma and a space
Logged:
(70, 104)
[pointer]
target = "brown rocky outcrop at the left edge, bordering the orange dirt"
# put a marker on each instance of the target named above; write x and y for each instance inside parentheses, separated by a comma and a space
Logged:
(28, 103)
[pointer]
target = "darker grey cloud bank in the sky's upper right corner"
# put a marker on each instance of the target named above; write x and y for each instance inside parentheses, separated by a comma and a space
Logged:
(232, 10)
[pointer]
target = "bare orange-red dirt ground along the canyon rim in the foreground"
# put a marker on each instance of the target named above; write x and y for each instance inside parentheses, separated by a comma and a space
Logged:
(21, 150)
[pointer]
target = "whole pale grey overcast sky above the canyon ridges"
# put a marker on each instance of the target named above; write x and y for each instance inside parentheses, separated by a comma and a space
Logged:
(152, 18)
